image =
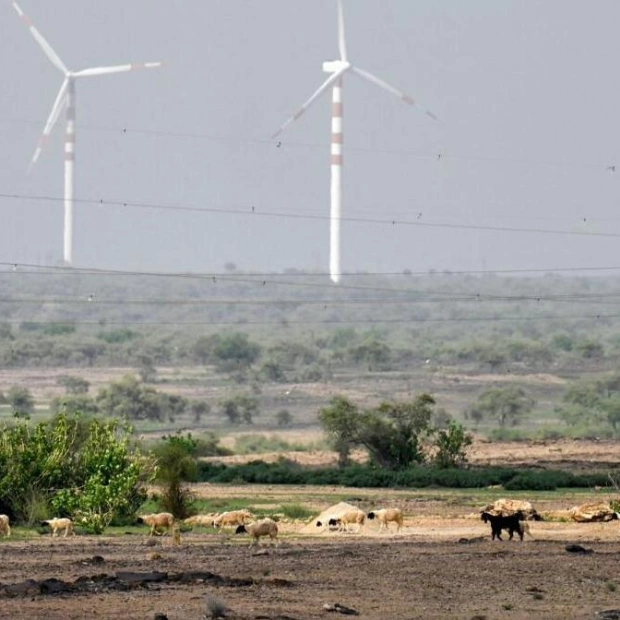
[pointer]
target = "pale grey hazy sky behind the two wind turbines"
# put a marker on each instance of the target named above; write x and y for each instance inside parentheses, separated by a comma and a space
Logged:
(526, 93)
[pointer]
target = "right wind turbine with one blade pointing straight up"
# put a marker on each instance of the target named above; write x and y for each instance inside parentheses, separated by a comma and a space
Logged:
(337, 69)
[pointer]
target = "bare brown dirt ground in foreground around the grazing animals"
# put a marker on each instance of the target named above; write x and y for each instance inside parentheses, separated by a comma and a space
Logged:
(442, 565)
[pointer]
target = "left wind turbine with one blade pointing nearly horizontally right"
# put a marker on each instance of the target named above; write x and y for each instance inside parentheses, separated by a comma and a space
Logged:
(66, 98)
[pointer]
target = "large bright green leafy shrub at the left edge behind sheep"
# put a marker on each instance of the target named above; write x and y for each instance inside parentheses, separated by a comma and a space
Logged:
(85, 470)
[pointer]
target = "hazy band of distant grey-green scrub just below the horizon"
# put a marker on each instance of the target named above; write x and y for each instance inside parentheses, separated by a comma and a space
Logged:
(298, 327)
